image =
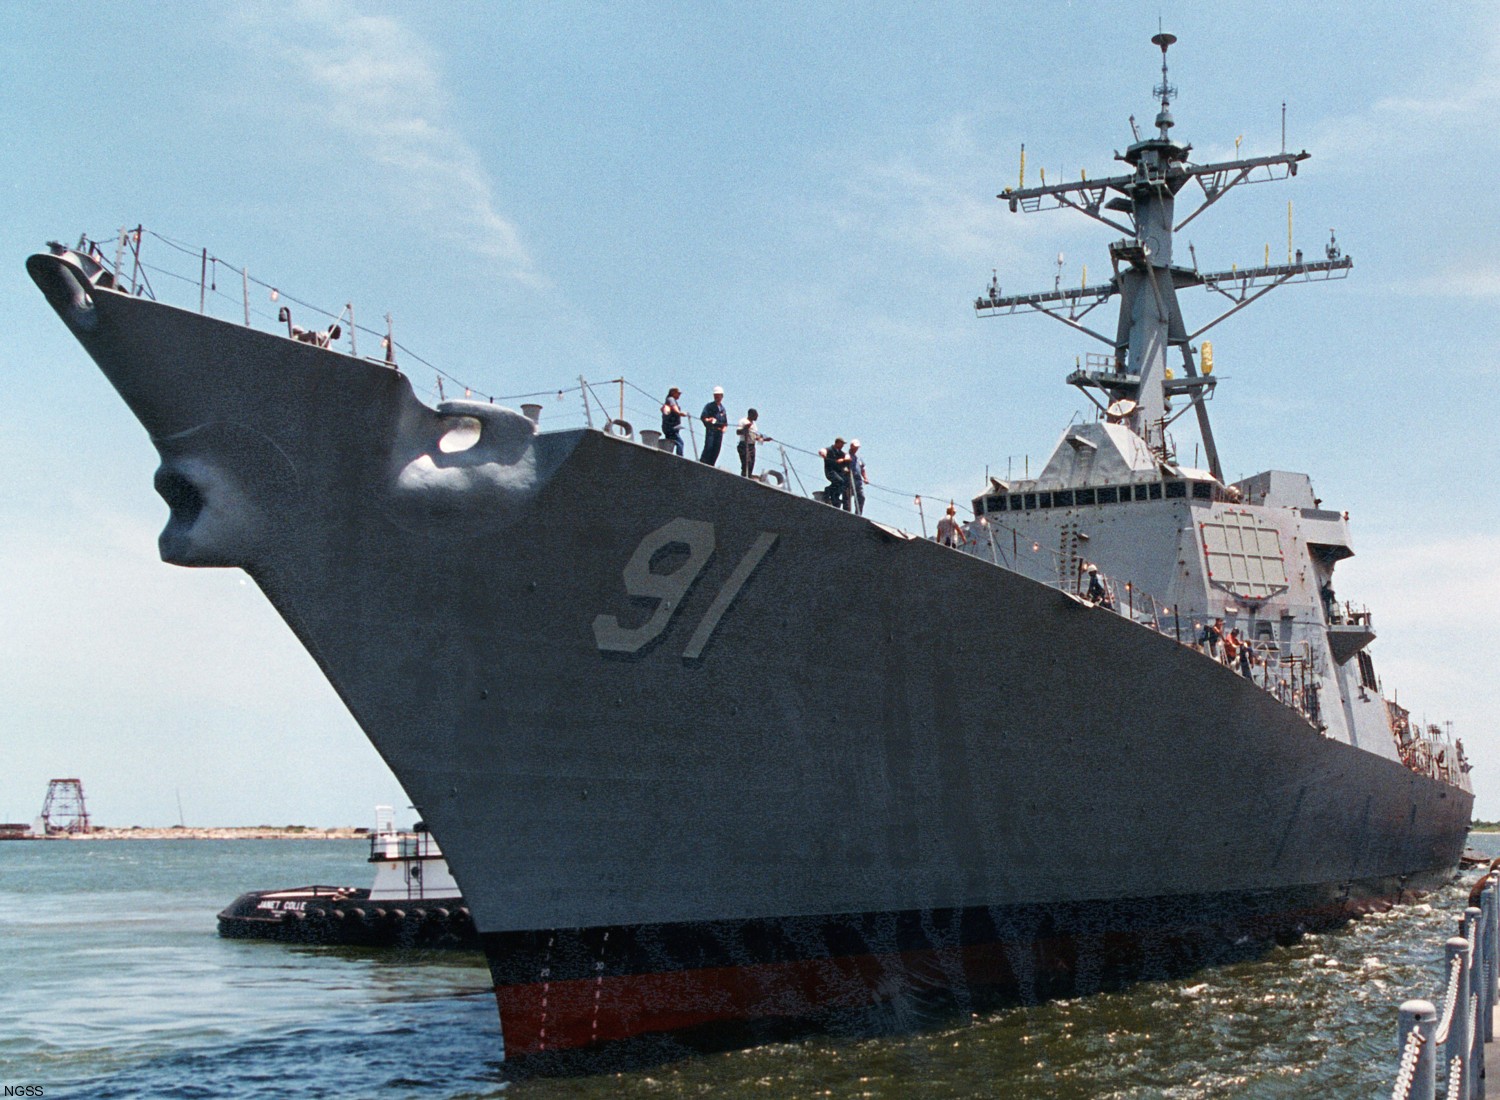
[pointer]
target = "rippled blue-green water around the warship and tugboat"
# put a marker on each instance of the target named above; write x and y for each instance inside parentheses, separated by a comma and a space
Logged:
(115, 984)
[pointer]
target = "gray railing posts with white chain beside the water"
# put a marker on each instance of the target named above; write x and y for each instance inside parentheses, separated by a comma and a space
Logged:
(1456, 1039)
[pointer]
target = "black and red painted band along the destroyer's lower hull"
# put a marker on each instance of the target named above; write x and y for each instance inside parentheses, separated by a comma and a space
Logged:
(664, 1012)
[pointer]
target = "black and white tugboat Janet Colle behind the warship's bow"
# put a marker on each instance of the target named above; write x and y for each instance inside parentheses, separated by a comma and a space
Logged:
(413, 903)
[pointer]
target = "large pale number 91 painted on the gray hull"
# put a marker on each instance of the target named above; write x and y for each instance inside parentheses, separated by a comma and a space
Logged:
(671, 591)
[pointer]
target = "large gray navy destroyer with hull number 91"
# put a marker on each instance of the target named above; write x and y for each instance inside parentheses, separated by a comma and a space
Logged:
(1037, 775)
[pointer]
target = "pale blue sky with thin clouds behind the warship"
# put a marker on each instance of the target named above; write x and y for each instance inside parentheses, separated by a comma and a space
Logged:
(794, 202)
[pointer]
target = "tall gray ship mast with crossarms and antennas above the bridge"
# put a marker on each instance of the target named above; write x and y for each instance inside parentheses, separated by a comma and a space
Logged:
(1136, 380)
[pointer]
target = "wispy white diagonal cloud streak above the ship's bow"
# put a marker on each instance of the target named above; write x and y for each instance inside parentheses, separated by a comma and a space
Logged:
(380, 88)
